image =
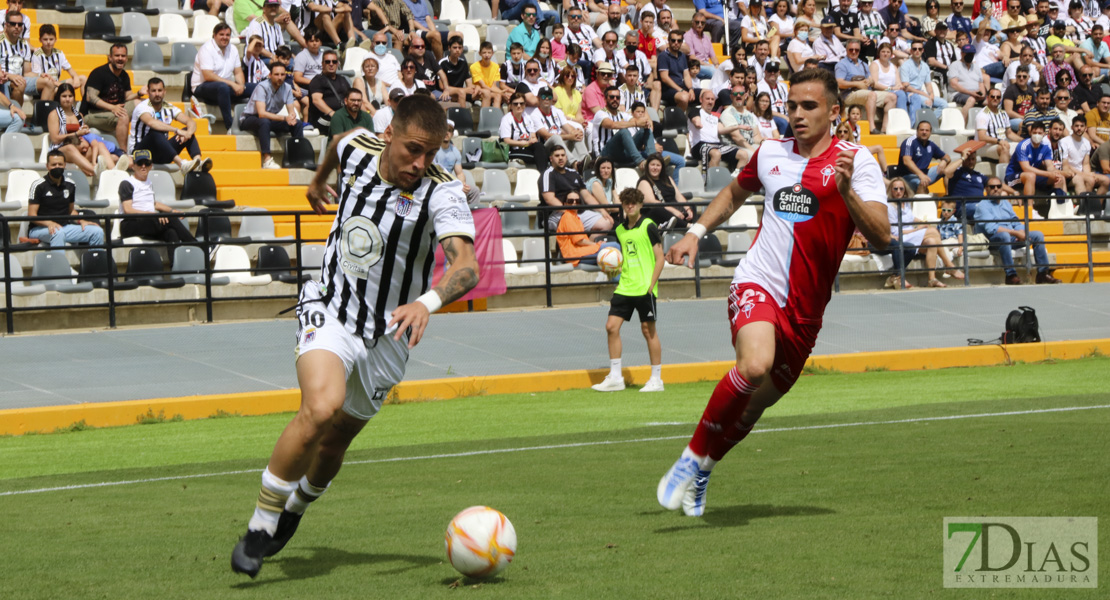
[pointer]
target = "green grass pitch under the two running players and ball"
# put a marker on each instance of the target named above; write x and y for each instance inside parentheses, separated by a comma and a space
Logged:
(826, 500)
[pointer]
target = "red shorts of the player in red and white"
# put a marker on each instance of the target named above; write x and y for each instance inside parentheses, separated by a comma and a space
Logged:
(751, 303)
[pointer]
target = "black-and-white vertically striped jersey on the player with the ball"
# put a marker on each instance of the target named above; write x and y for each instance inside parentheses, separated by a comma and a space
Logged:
(381, 250)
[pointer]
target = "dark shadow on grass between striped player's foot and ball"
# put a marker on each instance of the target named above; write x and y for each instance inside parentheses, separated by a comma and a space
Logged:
(322, 562)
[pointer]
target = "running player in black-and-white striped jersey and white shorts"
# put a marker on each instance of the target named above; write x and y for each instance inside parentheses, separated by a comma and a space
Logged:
(370, 308)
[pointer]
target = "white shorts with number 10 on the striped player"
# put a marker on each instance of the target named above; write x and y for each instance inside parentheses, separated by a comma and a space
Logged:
(372, 368)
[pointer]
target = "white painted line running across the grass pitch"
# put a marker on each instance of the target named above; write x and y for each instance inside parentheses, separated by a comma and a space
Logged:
(560, 446)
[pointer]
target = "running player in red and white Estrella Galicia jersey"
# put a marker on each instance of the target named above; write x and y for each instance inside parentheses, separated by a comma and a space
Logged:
(819, 191)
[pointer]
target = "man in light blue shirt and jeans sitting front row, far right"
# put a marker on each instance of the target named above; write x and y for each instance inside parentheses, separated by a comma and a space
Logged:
(997, 221)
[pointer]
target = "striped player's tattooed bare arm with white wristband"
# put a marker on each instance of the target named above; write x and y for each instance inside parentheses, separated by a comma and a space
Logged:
(460, 279)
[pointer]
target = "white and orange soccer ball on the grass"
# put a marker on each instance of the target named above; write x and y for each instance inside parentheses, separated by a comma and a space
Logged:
(481, 542)
